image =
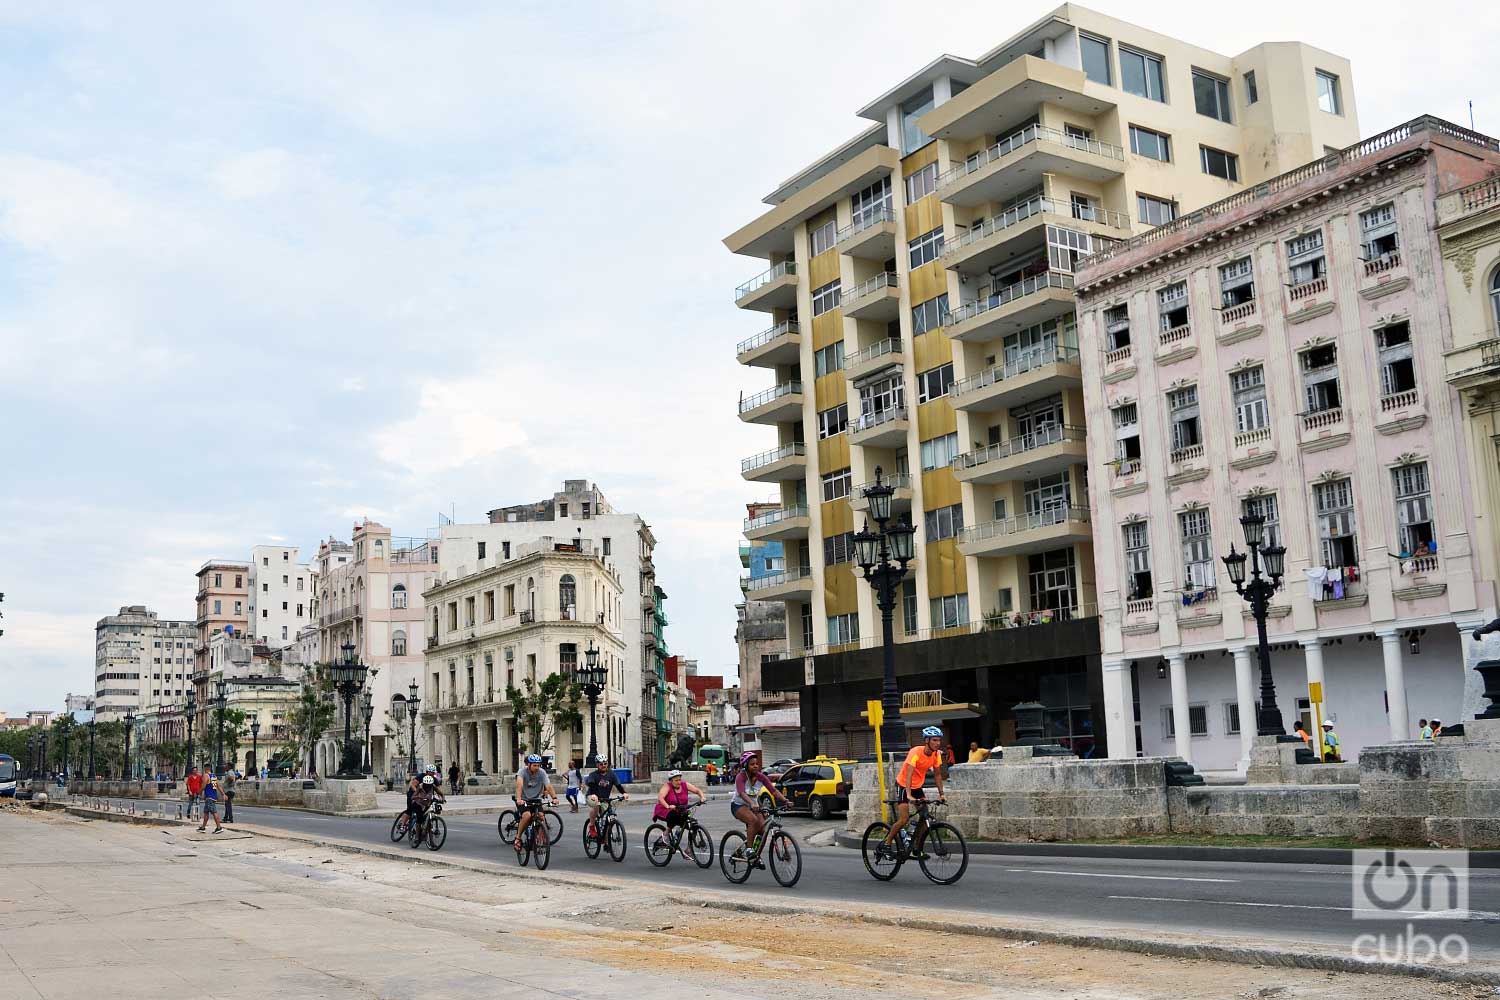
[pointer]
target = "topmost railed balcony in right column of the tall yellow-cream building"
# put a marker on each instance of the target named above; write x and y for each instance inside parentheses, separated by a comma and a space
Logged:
(1036, 151)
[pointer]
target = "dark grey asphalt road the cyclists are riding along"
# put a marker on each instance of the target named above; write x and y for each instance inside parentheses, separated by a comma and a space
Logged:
(1292, 903)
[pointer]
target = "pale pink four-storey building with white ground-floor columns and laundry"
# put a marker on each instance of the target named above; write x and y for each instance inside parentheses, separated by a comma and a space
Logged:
(1283, 353)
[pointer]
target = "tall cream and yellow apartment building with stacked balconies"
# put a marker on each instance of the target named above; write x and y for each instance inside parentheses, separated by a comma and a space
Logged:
(920, 296)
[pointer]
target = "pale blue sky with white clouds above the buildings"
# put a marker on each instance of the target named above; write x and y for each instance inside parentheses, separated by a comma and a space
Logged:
(268, 269)
